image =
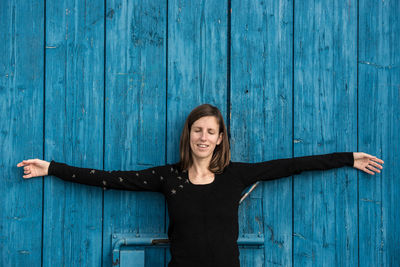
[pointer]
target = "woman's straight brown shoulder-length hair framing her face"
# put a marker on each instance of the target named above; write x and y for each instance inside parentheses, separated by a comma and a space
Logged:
(221, 155)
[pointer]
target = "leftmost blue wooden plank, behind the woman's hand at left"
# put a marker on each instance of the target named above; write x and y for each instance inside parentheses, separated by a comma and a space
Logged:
(21, 131)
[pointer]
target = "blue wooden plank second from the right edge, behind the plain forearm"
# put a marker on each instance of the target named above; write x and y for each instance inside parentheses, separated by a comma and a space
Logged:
(325, 203)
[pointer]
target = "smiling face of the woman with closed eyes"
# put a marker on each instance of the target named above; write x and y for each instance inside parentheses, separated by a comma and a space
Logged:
(204, 136)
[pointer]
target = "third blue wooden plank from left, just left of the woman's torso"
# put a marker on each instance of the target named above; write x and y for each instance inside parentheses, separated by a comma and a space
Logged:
(135, 116)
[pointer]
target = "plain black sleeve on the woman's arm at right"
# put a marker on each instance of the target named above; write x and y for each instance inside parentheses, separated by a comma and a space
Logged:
(278, 168)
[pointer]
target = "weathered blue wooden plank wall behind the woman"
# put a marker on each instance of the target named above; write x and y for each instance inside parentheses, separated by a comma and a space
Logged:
(108, 85)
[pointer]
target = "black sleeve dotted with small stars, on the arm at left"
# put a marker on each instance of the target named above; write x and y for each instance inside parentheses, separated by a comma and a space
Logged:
(150, 179)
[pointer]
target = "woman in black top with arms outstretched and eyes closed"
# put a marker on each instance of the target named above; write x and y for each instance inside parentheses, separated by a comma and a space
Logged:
(203, 189)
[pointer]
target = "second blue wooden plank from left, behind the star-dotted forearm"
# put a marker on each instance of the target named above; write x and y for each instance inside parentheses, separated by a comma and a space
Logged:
(74, 130)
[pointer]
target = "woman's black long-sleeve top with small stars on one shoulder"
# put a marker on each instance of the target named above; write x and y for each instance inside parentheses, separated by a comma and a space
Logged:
(203, 228)
